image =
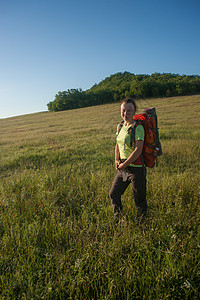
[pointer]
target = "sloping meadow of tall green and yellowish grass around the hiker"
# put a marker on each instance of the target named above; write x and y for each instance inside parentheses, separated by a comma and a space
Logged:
(58, 238)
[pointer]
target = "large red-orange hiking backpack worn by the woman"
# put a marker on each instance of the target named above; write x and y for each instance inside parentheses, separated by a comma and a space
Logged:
(152, 146)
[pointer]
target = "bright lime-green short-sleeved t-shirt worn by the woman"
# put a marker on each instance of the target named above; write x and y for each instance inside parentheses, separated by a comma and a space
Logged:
(124, 138)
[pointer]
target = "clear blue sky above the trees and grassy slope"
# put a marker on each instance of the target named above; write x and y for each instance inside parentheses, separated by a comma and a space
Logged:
(49, 46)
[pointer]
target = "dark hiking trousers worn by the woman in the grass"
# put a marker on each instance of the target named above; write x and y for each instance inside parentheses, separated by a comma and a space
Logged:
(137, 178)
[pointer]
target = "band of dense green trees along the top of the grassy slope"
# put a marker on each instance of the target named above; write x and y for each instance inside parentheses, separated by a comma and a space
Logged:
(120, 85)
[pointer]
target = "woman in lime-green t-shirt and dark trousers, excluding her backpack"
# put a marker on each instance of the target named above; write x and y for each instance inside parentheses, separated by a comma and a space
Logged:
(129, 162)
